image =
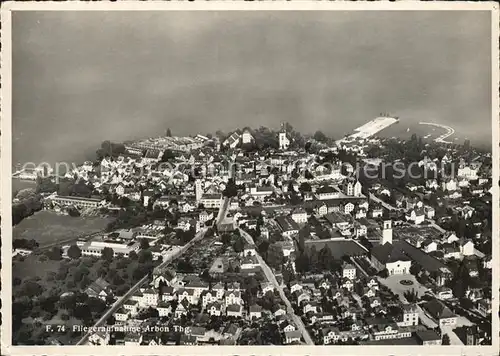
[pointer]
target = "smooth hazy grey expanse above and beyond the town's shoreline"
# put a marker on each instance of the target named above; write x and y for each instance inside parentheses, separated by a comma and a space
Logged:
(83, 77)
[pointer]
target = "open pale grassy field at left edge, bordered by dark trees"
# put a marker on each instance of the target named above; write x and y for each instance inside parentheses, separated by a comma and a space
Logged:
(47, 227)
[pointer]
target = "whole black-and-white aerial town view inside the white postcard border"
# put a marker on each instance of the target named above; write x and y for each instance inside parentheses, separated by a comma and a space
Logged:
(258, 178)
